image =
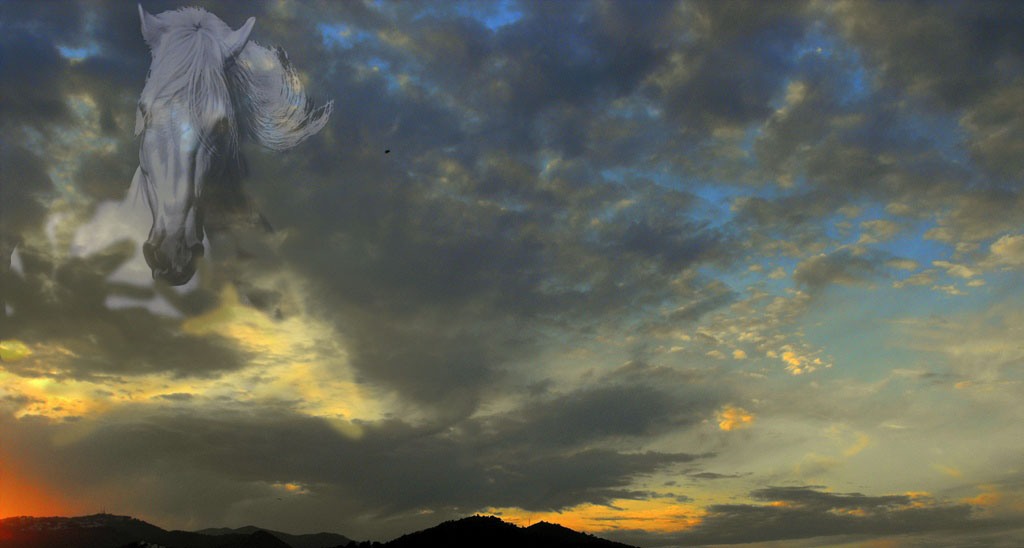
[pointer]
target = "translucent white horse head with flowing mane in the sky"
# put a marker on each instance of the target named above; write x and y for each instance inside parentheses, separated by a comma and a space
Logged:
(208, 87)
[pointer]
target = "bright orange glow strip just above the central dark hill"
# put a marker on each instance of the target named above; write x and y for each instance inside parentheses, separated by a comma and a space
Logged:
(655, 516)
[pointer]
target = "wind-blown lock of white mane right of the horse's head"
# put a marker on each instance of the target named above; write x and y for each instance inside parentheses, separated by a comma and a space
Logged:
(275, 110)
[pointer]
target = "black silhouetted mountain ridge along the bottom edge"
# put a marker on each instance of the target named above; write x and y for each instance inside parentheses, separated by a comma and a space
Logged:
(106, 531)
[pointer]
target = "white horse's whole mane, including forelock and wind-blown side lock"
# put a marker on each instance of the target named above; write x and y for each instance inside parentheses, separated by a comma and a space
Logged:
(259, 91)
